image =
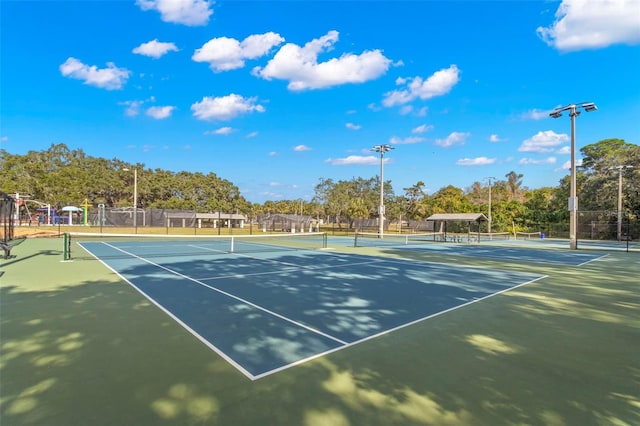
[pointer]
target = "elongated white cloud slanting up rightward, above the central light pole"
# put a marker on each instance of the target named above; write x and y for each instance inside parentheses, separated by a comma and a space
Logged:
(438, 84)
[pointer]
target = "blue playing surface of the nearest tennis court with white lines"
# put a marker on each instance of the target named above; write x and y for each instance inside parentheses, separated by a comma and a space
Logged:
(267, 311)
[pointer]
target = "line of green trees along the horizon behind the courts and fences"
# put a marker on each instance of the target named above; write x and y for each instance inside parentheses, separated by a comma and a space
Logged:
(60, 176)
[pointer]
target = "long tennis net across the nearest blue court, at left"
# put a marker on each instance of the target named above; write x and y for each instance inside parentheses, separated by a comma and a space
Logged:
(150, 245)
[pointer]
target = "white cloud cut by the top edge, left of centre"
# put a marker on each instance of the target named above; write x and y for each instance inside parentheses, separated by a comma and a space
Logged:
(187, 12)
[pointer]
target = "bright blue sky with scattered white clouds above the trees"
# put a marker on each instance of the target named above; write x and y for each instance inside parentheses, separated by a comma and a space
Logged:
(274, 95)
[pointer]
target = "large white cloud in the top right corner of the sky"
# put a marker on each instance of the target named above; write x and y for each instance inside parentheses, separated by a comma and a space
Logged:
(591, 24)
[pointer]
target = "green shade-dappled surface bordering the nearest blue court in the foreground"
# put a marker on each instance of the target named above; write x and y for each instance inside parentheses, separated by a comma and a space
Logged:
(88, 349)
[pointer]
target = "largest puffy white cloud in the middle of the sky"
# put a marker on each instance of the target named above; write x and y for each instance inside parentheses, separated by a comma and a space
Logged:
(300, 66)
